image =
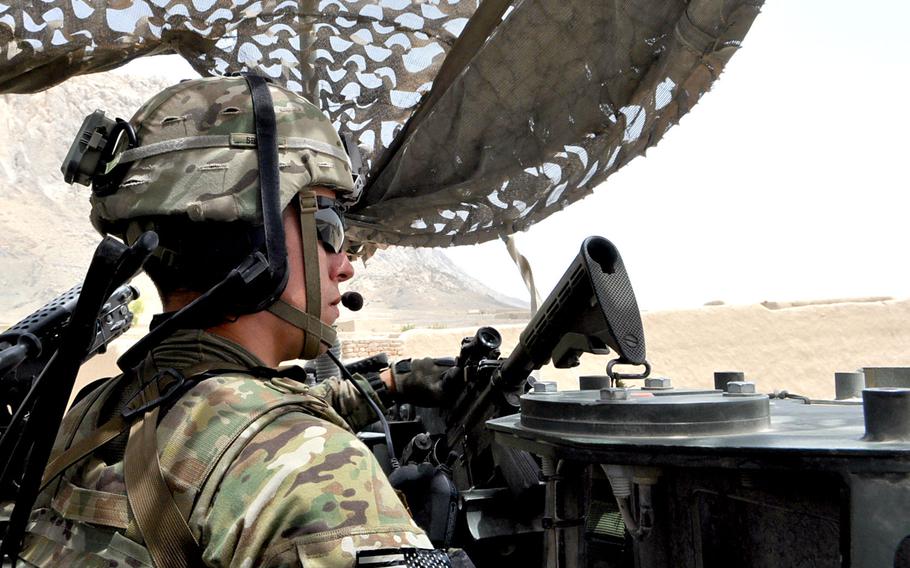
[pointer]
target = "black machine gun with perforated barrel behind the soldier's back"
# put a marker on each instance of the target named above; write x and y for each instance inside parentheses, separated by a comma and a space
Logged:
(27, 347)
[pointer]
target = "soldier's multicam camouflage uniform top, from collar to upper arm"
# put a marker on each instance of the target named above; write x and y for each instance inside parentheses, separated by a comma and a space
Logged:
(268, 473)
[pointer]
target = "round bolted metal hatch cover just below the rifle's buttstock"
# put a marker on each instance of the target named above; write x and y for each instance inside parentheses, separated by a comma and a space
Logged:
(677, 414)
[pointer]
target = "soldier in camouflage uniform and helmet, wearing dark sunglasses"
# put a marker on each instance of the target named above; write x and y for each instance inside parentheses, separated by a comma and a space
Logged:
(260, 469)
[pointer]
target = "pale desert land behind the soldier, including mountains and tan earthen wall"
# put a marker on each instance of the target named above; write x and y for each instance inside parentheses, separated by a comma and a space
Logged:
(418, 302)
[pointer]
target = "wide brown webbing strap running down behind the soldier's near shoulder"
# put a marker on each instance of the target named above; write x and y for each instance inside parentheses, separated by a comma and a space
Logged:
(164, 530)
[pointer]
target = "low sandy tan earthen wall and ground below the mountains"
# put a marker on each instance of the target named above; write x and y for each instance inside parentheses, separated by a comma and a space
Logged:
(779, 346)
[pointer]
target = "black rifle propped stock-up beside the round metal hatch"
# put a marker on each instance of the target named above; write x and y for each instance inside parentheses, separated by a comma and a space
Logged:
(591, 310)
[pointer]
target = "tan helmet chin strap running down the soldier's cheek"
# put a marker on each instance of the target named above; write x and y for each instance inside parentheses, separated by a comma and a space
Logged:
(315, 332)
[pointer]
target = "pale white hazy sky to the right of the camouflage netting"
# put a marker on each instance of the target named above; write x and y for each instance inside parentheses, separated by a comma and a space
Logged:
(788, 181)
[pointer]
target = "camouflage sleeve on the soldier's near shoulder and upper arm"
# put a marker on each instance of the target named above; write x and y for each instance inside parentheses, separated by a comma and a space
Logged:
(304, 492)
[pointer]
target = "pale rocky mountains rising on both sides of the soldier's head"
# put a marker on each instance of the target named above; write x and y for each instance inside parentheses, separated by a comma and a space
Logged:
(46, 241)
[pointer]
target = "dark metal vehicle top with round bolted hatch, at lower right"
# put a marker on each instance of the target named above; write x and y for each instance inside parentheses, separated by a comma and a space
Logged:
(723, 479)
